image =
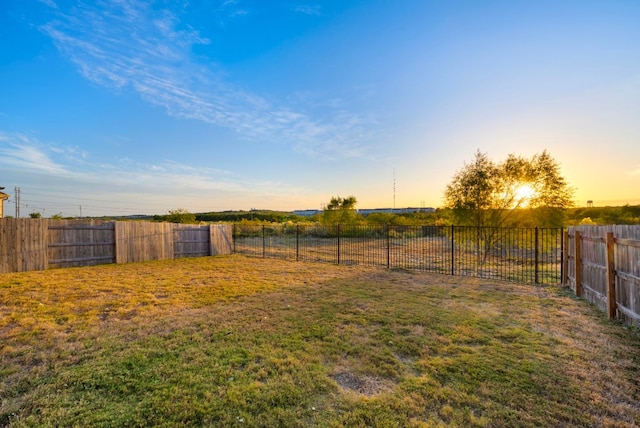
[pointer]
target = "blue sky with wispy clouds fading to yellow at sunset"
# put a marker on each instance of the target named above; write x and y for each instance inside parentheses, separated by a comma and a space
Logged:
(140, 107)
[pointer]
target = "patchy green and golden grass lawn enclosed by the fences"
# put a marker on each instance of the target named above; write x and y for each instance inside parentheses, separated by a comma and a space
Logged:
(236, 341)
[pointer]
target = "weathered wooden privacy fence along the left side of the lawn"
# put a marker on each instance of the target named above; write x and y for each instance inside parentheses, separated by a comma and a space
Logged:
(39, 244)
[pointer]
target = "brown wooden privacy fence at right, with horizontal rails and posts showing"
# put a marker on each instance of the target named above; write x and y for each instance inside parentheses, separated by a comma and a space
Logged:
(603, 266)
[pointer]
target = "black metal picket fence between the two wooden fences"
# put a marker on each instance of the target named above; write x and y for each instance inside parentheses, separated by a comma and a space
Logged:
(528, 255)
